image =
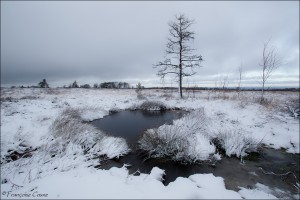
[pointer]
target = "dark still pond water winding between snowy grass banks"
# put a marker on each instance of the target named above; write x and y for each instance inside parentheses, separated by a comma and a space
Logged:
(270, 167)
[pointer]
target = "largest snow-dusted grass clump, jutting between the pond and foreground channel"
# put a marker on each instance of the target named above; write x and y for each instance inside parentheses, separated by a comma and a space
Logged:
(185, 141)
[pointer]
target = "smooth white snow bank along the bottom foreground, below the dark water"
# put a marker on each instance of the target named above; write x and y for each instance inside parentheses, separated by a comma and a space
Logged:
(117, 183)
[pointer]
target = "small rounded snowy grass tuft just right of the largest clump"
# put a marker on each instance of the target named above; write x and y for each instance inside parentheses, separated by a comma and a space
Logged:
(235, 142)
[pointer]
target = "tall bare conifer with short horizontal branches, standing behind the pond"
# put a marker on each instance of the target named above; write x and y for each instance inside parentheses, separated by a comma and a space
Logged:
(182, 61)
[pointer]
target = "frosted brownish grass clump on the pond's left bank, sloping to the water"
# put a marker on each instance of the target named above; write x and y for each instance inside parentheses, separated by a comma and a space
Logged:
(68, 131)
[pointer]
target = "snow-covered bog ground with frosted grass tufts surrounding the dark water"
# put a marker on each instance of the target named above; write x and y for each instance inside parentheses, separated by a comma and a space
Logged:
(49, 149)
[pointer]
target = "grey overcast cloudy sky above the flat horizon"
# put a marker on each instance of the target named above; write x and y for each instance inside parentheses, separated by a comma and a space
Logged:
(98, 41)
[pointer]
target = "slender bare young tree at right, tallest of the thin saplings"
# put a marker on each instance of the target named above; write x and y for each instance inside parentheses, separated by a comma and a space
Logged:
(270, 62)
